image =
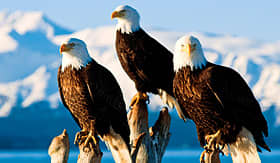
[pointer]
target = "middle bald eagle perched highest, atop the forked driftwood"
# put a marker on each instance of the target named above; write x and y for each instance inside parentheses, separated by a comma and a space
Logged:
(148, 63)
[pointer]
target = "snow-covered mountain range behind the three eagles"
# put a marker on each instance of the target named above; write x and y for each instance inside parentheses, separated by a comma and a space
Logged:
(29, 58)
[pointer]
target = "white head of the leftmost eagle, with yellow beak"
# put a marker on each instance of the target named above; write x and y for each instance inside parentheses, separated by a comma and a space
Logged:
(74, 53)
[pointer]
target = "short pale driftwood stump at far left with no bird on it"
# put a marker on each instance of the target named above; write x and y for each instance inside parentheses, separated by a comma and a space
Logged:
(59, 148)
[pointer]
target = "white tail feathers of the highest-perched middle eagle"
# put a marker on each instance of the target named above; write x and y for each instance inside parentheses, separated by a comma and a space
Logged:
(171, 102)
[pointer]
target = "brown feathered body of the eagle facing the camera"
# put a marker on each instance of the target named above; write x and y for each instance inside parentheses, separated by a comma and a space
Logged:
(217, 98)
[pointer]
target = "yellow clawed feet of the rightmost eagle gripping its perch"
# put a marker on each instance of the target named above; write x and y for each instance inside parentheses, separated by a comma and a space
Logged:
(213, 141)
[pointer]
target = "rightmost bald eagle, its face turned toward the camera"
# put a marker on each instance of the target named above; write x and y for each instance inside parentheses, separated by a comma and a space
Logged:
(219, 102)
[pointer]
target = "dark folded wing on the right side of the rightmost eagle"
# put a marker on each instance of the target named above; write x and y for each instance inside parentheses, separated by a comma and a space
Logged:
(235, 96)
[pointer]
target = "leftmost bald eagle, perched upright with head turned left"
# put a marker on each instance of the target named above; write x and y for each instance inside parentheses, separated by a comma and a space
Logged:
(91, 93)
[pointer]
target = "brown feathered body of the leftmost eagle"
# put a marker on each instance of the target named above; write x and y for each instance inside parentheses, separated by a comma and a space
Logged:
(92, 93)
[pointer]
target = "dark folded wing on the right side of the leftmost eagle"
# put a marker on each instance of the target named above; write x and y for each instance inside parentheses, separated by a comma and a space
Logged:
(105, 90)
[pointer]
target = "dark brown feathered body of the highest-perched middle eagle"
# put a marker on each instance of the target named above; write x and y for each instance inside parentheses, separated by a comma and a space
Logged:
(146, 61)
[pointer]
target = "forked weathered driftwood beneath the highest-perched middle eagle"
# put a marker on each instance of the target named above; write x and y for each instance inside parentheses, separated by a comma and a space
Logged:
(153, 144)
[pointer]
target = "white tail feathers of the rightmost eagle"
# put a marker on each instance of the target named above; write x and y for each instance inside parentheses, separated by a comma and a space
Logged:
(244, 150)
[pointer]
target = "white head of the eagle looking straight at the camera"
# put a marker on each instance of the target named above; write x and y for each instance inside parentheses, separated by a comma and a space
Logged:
(188, 52)
